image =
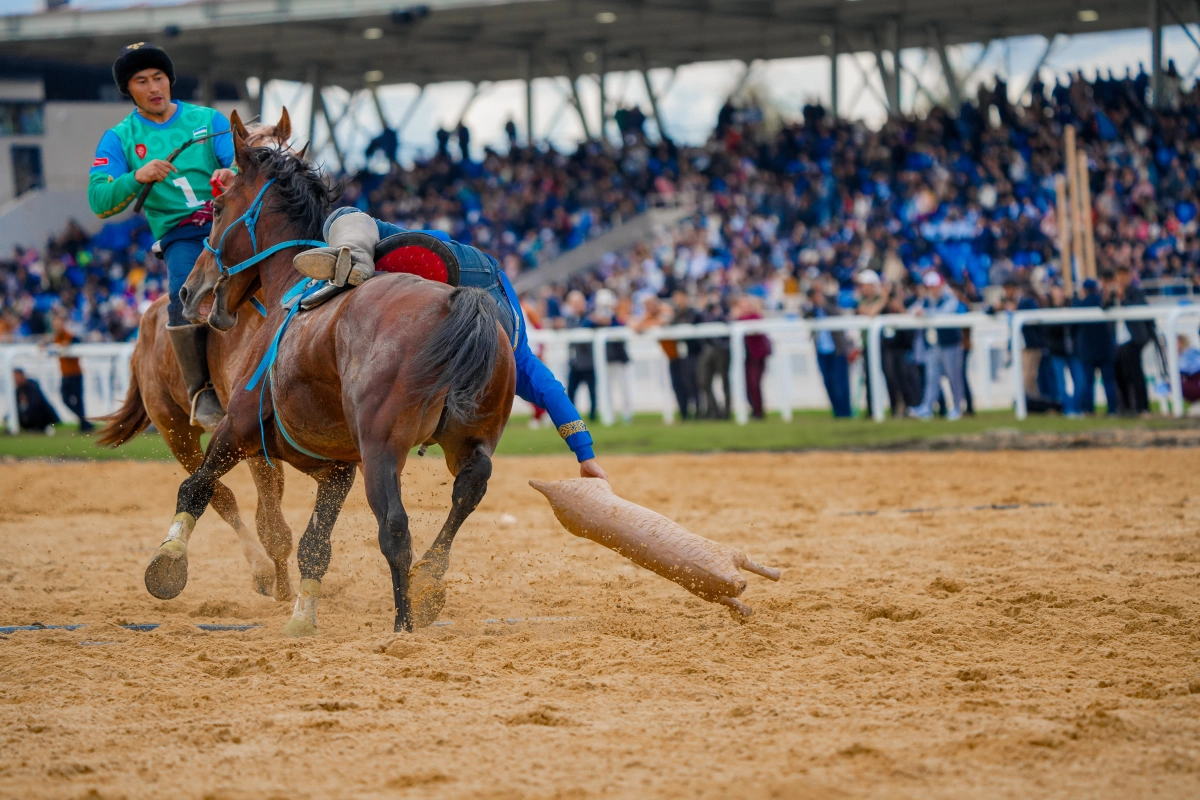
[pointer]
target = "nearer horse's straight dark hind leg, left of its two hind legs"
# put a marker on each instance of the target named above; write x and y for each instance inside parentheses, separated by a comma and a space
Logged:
(382, 473)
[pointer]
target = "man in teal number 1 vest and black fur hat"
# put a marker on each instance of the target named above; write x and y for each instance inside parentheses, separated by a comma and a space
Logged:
(179, 208)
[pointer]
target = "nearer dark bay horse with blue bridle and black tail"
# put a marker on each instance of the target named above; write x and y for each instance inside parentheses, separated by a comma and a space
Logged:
(362, 380)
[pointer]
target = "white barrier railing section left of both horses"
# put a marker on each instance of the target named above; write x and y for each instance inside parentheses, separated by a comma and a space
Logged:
(106, 368)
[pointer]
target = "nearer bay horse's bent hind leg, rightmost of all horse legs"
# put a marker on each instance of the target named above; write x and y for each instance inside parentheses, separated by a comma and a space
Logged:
(427, 590)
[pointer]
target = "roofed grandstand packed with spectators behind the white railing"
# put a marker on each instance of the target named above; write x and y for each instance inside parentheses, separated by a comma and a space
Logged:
(766, 208)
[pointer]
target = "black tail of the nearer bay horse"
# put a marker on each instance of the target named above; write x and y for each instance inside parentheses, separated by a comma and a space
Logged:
(460, 357)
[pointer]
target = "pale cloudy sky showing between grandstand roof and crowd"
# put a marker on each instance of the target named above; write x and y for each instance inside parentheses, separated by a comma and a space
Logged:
(694, 94)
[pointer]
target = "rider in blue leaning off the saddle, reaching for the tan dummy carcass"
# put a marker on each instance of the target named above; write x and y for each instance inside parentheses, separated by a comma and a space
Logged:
(536, 383)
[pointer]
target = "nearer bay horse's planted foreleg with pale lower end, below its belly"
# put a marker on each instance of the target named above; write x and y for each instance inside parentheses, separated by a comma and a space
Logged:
(334, 484)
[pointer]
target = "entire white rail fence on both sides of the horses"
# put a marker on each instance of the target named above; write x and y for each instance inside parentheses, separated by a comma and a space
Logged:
(793, 380)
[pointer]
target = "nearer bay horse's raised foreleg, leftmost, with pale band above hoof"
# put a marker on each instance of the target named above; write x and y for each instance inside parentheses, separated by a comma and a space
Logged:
(167, 573)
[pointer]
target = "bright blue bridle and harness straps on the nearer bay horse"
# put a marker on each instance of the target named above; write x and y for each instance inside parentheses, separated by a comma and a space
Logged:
(303, 290)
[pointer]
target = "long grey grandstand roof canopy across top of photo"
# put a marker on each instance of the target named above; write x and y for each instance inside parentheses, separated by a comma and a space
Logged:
(359, 44)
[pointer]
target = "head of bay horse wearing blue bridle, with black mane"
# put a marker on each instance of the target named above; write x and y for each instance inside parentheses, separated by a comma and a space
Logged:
(277, 197)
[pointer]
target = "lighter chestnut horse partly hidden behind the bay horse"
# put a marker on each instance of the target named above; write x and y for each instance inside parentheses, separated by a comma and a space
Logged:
(158, 395)
